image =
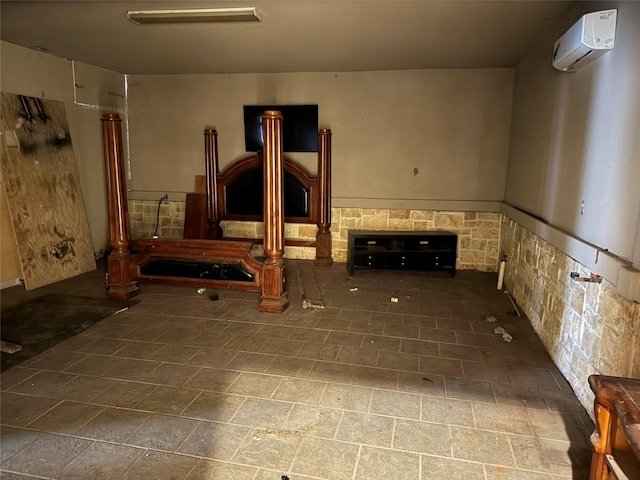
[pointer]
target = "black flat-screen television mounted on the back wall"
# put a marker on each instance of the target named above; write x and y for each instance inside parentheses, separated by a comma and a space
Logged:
(299, 127)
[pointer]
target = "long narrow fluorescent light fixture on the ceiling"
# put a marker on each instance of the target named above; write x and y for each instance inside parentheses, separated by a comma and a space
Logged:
(249, 14)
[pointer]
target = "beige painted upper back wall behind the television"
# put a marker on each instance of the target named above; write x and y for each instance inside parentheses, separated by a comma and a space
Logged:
(401, 139)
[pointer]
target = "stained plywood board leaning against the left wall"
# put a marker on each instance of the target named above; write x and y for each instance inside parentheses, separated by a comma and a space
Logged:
(43, 191)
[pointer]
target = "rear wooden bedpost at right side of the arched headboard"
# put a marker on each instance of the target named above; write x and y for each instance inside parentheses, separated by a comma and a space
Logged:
(323, 237)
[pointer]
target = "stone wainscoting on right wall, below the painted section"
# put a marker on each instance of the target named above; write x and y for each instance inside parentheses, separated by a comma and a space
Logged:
(587, 328)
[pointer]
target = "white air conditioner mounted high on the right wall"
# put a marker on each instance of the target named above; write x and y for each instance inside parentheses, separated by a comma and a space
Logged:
(589, 38)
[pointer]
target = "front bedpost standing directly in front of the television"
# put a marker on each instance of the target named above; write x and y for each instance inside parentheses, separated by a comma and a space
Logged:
(274, 296)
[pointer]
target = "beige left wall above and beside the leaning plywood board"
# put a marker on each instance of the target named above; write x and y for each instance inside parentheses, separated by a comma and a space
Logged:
(85, 90)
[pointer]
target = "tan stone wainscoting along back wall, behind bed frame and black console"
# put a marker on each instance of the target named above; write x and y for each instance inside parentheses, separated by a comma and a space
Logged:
(478, 232)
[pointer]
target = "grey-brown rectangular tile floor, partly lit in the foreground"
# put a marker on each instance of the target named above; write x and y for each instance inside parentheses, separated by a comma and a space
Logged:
(182, 387)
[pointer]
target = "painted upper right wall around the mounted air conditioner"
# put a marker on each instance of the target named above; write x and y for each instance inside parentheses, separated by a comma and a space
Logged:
(575, 139)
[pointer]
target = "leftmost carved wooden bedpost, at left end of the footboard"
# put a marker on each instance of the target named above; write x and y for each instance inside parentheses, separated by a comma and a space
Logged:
(120, 284)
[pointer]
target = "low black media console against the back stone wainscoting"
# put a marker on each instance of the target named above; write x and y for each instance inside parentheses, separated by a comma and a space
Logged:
(426, 250)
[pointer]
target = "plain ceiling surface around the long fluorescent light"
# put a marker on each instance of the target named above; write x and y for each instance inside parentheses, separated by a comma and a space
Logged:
(293, 36)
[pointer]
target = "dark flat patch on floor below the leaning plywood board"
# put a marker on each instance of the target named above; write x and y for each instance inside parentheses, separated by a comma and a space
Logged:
(45, 321)
